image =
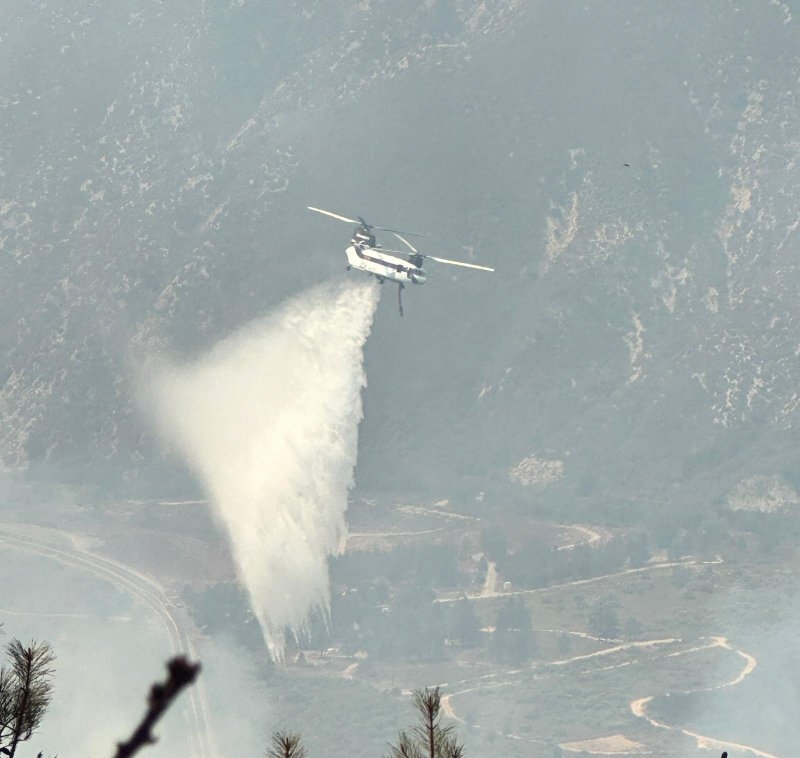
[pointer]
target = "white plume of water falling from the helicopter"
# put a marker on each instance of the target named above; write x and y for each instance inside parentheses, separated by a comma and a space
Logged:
(268, 420)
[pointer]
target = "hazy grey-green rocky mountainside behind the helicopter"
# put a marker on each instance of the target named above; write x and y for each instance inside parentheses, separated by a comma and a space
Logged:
(630, 168)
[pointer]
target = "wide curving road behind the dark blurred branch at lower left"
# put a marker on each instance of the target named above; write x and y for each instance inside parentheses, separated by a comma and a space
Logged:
(146, 591)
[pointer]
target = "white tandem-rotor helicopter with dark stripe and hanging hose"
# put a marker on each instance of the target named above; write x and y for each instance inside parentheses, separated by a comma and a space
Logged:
(363, 253)
